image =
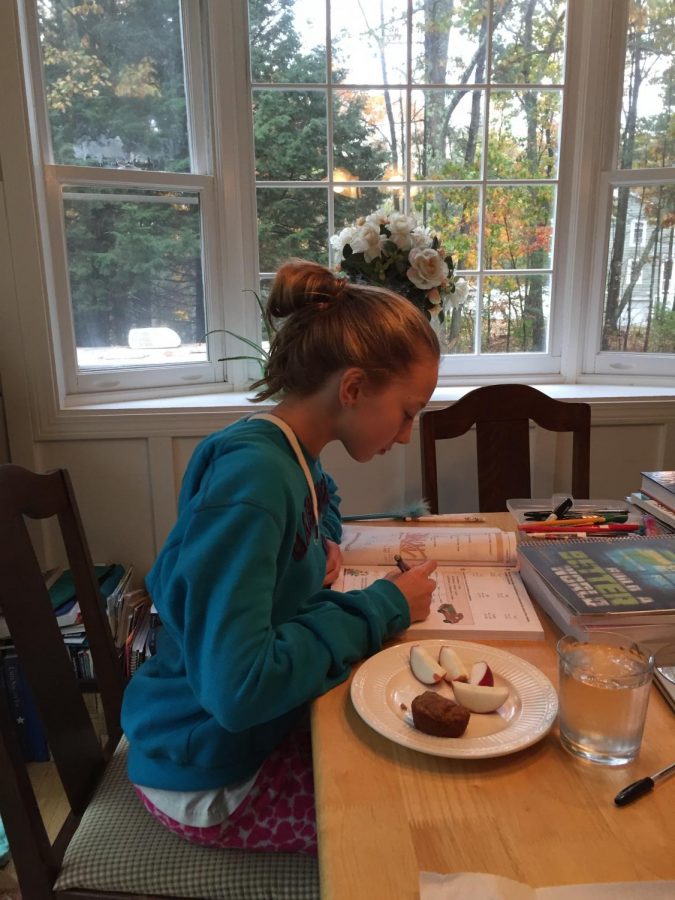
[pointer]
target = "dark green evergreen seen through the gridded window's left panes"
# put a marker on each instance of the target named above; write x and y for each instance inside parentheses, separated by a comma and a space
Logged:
(290, 132)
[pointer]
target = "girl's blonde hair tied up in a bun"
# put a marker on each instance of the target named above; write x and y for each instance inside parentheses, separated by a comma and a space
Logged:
(329, 324)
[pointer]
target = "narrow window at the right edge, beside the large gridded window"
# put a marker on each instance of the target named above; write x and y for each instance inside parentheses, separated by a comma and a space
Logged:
(638, 325)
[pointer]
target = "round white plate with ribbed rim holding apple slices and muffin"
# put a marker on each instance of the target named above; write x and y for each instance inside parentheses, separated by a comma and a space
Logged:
(384, 686)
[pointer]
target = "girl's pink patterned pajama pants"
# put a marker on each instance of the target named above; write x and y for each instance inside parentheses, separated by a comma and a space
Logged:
(278, 812)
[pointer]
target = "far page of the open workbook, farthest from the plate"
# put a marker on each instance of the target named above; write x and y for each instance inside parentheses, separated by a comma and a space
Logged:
(371, 545)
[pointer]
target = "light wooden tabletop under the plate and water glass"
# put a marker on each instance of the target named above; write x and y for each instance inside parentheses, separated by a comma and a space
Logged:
(540, 816)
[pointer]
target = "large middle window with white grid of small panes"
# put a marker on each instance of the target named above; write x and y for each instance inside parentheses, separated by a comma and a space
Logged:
(449, 111)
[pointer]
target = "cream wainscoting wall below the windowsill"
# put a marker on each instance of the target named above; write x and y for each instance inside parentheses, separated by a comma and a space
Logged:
(127, 487)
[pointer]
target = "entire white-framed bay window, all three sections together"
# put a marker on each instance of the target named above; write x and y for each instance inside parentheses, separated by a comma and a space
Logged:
(184, 148)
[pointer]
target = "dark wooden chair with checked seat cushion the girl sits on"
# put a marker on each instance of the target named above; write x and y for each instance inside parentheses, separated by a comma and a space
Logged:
(109, 846)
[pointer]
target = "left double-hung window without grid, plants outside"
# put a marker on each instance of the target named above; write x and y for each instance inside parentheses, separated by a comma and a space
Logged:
(127, 189)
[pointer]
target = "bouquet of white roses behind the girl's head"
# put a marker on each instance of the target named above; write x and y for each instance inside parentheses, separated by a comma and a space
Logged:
(391, 250)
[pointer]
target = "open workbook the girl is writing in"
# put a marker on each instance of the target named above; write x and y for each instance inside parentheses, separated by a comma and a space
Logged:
(479, 593)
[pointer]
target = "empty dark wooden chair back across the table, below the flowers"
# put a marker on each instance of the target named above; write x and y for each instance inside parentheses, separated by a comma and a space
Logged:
(502, 414)
